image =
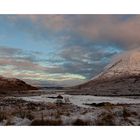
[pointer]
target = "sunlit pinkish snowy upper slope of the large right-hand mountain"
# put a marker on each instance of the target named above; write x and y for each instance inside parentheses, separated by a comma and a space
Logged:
(125, 64)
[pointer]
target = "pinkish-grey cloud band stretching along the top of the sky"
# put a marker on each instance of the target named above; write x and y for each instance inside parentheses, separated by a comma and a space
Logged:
(121, 29)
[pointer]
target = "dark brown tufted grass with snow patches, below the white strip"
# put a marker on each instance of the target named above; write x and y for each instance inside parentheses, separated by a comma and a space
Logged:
(15, 111)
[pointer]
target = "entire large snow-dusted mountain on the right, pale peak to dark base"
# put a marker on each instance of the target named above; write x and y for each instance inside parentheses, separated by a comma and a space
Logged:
(120, 77)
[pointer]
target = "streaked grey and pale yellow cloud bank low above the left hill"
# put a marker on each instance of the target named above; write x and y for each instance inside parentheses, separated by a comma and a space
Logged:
(15, 63)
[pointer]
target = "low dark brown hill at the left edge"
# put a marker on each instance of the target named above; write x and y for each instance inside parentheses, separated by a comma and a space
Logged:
(13, 84)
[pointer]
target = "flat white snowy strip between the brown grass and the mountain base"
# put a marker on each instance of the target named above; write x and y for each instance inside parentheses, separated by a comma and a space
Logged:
(80, 100)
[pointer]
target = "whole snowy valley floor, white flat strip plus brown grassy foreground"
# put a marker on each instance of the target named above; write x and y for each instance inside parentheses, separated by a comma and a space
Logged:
(41, 110)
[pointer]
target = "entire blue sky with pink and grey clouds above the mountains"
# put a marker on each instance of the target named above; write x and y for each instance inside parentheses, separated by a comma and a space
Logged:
(64, 50)
